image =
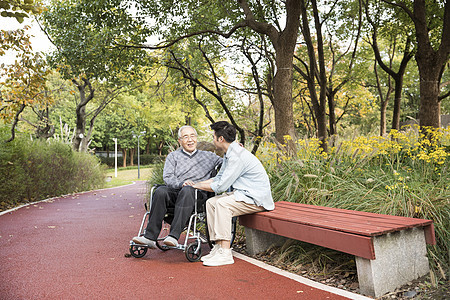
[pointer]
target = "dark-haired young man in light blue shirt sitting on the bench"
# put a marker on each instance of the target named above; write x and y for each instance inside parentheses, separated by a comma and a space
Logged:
(245, 174)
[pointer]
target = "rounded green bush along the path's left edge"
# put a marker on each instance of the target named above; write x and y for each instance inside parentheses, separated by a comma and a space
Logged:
(35, 170)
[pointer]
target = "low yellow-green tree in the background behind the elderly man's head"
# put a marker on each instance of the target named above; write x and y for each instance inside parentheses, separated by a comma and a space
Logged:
(159, 107)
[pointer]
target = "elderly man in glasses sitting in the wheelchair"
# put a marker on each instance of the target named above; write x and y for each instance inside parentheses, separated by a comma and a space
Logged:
(182, 169)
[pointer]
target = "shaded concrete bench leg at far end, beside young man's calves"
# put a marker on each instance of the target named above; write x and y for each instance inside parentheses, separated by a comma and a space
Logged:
(259, 241)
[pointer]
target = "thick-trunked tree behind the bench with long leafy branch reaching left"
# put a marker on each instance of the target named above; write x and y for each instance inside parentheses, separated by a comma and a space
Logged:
(226, 18)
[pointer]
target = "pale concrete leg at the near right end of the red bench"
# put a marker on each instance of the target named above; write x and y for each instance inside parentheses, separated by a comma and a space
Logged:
(399, 258)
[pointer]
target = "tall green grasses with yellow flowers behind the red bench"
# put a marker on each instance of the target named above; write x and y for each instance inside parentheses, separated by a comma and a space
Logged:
(404, 174)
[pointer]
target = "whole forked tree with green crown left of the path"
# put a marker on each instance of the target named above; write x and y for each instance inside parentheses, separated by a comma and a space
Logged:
(83, 33)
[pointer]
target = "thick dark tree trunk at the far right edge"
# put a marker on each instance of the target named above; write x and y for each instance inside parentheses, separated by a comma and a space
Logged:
(432, 30)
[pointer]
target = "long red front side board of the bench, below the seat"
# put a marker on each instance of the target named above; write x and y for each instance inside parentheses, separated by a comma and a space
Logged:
(341, 241)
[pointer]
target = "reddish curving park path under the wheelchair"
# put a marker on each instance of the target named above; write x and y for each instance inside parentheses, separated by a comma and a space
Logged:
(73, 247)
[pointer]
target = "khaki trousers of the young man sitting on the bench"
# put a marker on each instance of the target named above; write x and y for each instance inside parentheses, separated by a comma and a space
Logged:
(220, 210)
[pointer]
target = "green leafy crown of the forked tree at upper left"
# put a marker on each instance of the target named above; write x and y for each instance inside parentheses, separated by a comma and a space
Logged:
(87, 35)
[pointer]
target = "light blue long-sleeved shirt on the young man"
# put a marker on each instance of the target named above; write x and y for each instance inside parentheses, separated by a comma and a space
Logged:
(242, 171)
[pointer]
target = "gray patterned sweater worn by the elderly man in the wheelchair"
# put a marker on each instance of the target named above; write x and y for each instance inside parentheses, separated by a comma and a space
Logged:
(180, 167)
